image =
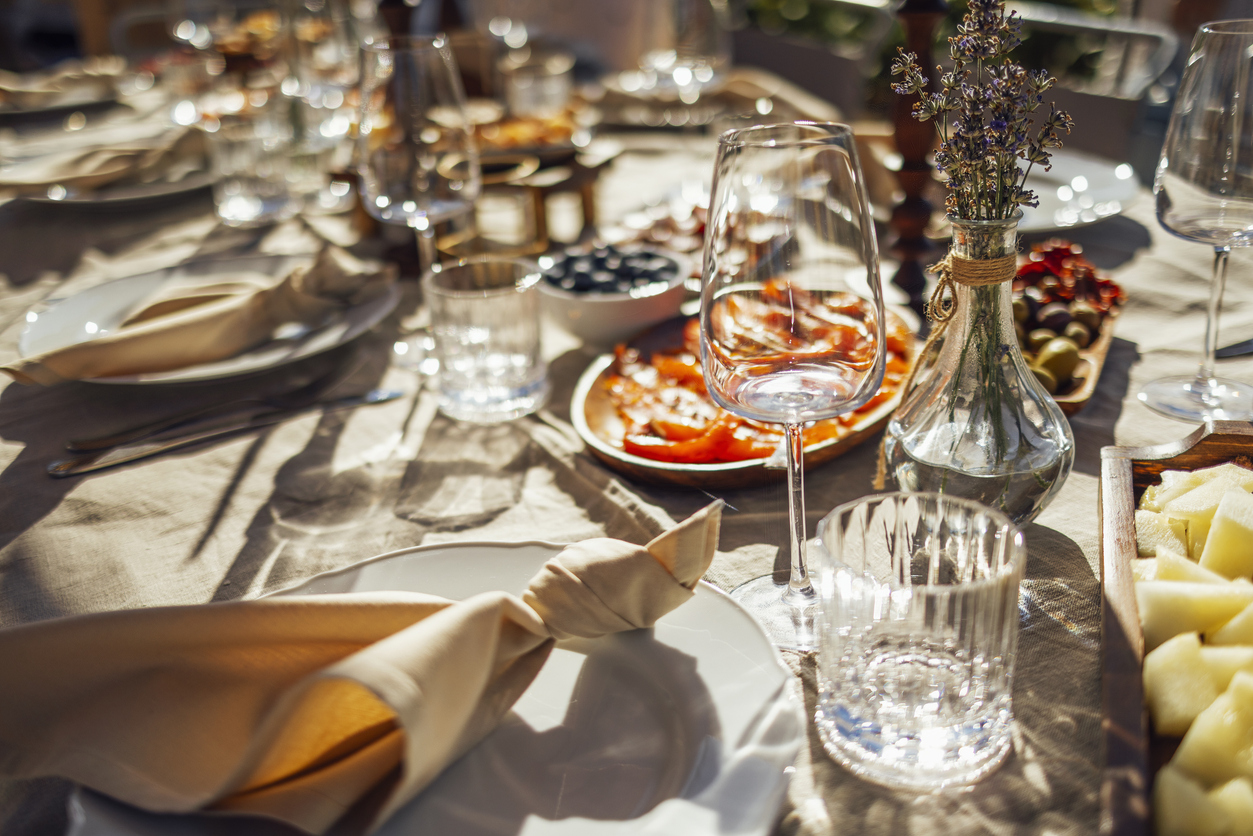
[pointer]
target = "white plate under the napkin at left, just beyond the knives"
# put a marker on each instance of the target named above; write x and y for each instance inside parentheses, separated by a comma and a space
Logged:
(98, 310)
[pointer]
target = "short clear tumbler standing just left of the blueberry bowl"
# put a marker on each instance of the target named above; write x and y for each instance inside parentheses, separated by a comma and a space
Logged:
(486, 324)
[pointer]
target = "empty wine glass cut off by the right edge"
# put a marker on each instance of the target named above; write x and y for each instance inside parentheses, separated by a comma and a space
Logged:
(1205, 194)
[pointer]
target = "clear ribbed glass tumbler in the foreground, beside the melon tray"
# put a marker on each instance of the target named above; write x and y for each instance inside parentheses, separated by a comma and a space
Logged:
(919, 637)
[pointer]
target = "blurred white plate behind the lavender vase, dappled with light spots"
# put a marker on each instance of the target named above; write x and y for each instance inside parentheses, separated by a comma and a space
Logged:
(1078, 191)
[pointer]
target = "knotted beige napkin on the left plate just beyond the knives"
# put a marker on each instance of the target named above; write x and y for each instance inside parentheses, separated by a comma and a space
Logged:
(200, 327)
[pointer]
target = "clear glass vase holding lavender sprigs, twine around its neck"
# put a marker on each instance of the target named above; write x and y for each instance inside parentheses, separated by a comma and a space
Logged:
(979, 424)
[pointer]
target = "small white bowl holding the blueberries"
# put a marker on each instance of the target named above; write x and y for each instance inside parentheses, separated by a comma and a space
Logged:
(608, 319)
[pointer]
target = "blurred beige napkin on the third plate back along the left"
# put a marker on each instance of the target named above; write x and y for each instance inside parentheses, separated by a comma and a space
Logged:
(140, 160)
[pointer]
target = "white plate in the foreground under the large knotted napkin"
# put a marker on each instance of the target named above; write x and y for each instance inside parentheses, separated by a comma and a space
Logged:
(686, 729)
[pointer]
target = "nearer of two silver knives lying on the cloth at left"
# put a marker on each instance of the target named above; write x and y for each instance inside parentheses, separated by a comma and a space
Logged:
(151, 447)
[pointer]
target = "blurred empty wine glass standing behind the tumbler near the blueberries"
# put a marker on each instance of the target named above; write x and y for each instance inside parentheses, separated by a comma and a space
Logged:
(417, 155)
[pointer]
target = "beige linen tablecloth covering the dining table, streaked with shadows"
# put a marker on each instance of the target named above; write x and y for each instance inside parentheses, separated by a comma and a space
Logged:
(260, 512)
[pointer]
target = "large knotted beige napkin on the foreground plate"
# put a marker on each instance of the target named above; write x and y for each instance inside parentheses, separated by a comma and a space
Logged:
(313, 710)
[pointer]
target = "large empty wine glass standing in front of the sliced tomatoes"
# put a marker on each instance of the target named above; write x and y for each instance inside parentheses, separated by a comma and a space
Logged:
(791, 311)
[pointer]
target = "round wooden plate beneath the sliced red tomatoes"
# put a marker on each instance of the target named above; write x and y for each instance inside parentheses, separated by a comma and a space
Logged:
(597, 422)
